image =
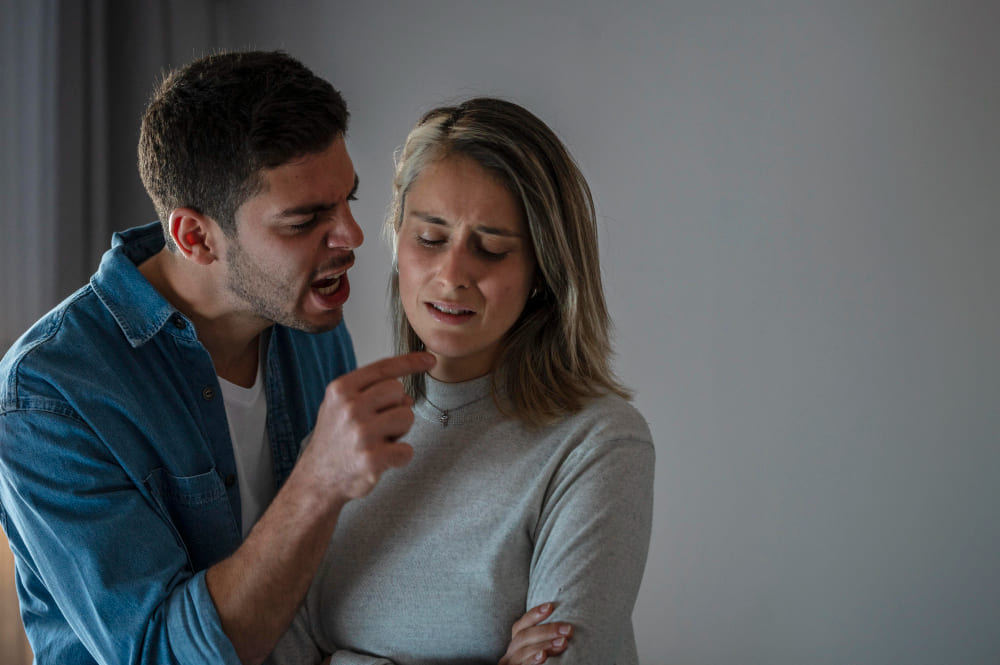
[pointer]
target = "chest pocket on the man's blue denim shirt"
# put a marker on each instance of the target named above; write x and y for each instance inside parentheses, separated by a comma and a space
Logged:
(198, 507)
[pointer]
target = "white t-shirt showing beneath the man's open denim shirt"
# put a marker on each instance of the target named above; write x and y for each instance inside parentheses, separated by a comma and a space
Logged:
(246, 409)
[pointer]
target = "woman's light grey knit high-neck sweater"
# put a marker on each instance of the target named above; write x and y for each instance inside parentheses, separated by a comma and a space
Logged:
(489, 519)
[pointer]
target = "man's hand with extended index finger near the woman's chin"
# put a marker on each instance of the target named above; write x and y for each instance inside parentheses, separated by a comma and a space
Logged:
(359, 424)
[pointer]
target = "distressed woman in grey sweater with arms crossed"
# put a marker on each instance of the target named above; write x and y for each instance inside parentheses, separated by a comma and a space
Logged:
(532, 476)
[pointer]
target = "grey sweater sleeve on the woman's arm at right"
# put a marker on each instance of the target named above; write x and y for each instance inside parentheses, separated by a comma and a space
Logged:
(591, 547)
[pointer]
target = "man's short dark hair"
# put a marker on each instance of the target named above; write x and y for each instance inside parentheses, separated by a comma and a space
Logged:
(212, 126)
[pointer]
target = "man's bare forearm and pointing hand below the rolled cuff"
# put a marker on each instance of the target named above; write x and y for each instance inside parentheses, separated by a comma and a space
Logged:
(257, 590)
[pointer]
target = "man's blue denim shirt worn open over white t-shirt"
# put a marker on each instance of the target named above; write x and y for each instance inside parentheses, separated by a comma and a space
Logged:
(117, 477)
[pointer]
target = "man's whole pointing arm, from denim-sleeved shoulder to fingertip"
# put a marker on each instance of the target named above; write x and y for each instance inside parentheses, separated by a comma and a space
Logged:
(101, 561)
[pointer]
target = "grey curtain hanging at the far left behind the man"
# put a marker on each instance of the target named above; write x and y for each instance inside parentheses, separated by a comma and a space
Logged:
(54, 154)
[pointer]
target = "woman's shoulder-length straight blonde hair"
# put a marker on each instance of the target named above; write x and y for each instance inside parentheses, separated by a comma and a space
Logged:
(557, 355)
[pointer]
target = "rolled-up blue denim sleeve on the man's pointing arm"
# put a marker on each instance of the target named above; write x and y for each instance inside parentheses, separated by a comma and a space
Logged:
(98, 559)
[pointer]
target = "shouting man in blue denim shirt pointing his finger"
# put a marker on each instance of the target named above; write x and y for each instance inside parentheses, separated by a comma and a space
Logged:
(148, 421)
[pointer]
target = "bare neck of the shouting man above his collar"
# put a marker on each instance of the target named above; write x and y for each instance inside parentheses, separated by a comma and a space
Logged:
(231, 338)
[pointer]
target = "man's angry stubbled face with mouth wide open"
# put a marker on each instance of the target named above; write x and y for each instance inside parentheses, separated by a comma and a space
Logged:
(294, 242)
